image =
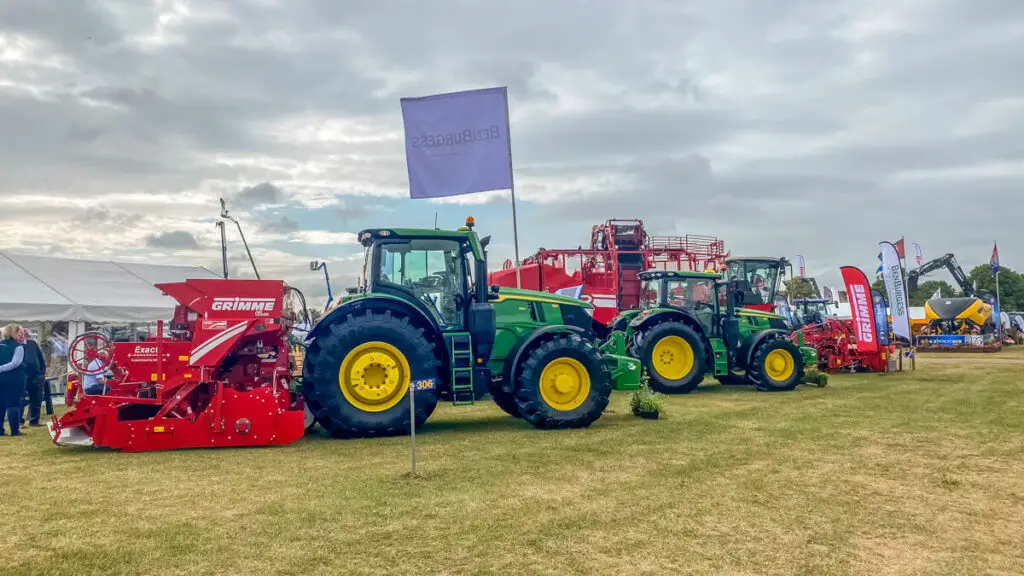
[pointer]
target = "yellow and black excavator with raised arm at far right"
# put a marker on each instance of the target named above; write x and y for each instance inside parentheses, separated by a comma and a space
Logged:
(956, 315)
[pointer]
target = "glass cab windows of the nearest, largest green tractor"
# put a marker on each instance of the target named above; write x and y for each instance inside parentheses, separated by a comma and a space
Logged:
(433, 270)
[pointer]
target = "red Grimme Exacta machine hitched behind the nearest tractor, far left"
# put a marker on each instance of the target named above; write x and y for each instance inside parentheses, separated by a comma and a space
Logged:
(222, 379)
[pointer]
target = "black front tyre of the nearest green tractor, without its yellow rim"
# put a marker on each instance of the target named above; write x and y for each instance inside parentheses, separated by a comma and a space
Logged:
(530, 400)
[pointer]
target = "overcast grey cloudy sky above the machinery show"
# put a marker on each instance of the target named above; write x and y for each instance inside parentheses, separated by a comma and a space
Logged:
(785, 128)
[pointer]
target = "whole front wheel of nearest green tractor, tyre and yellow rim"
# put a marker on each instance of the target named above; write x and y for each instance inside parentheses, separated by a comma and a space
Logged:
(564, 384)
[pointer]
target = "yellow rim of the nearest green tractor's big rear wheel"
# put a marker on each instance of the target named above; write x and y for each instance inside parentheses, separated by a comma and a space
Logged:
(374, 377)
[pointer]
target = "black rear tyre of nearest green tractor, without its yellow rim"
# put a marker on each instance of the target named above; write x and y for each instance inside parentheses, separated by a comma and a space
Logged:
(323, 363)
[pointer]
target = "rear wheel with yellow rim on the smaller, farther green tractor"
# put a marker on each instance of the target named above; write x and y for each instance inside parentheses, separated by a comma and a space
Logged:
(673, 355)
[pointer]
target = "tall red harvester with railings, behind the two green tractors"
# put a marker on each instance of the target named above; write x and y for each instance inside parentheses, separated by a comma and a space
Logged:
(606, 274)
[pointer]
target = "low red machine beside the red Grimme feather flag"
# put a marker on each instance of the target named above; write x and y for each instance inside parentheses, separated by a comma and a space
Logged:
(835, 340)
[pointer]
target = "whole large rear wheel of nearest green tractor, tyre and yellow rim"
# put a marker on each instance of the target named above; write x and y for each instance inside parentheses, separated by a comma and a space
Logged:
(358, 374)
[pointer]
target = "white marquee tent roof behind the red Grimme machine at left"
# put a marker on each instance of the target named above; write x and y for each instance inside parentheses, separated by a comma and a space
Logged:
(40, 289)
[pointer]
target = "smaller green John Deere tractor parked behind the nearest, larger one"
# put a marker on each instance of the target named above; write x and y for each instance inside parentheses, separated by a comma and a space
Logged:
(690, 325)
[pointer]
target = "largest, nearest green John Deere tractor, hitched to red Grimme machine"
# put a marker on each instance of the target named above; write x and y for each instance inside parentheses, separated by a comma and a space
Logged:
(425, 317)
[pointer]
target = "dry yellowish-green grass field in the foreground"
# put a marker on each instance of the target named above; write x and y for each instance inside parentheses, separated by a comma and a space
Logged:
(914, 474)
